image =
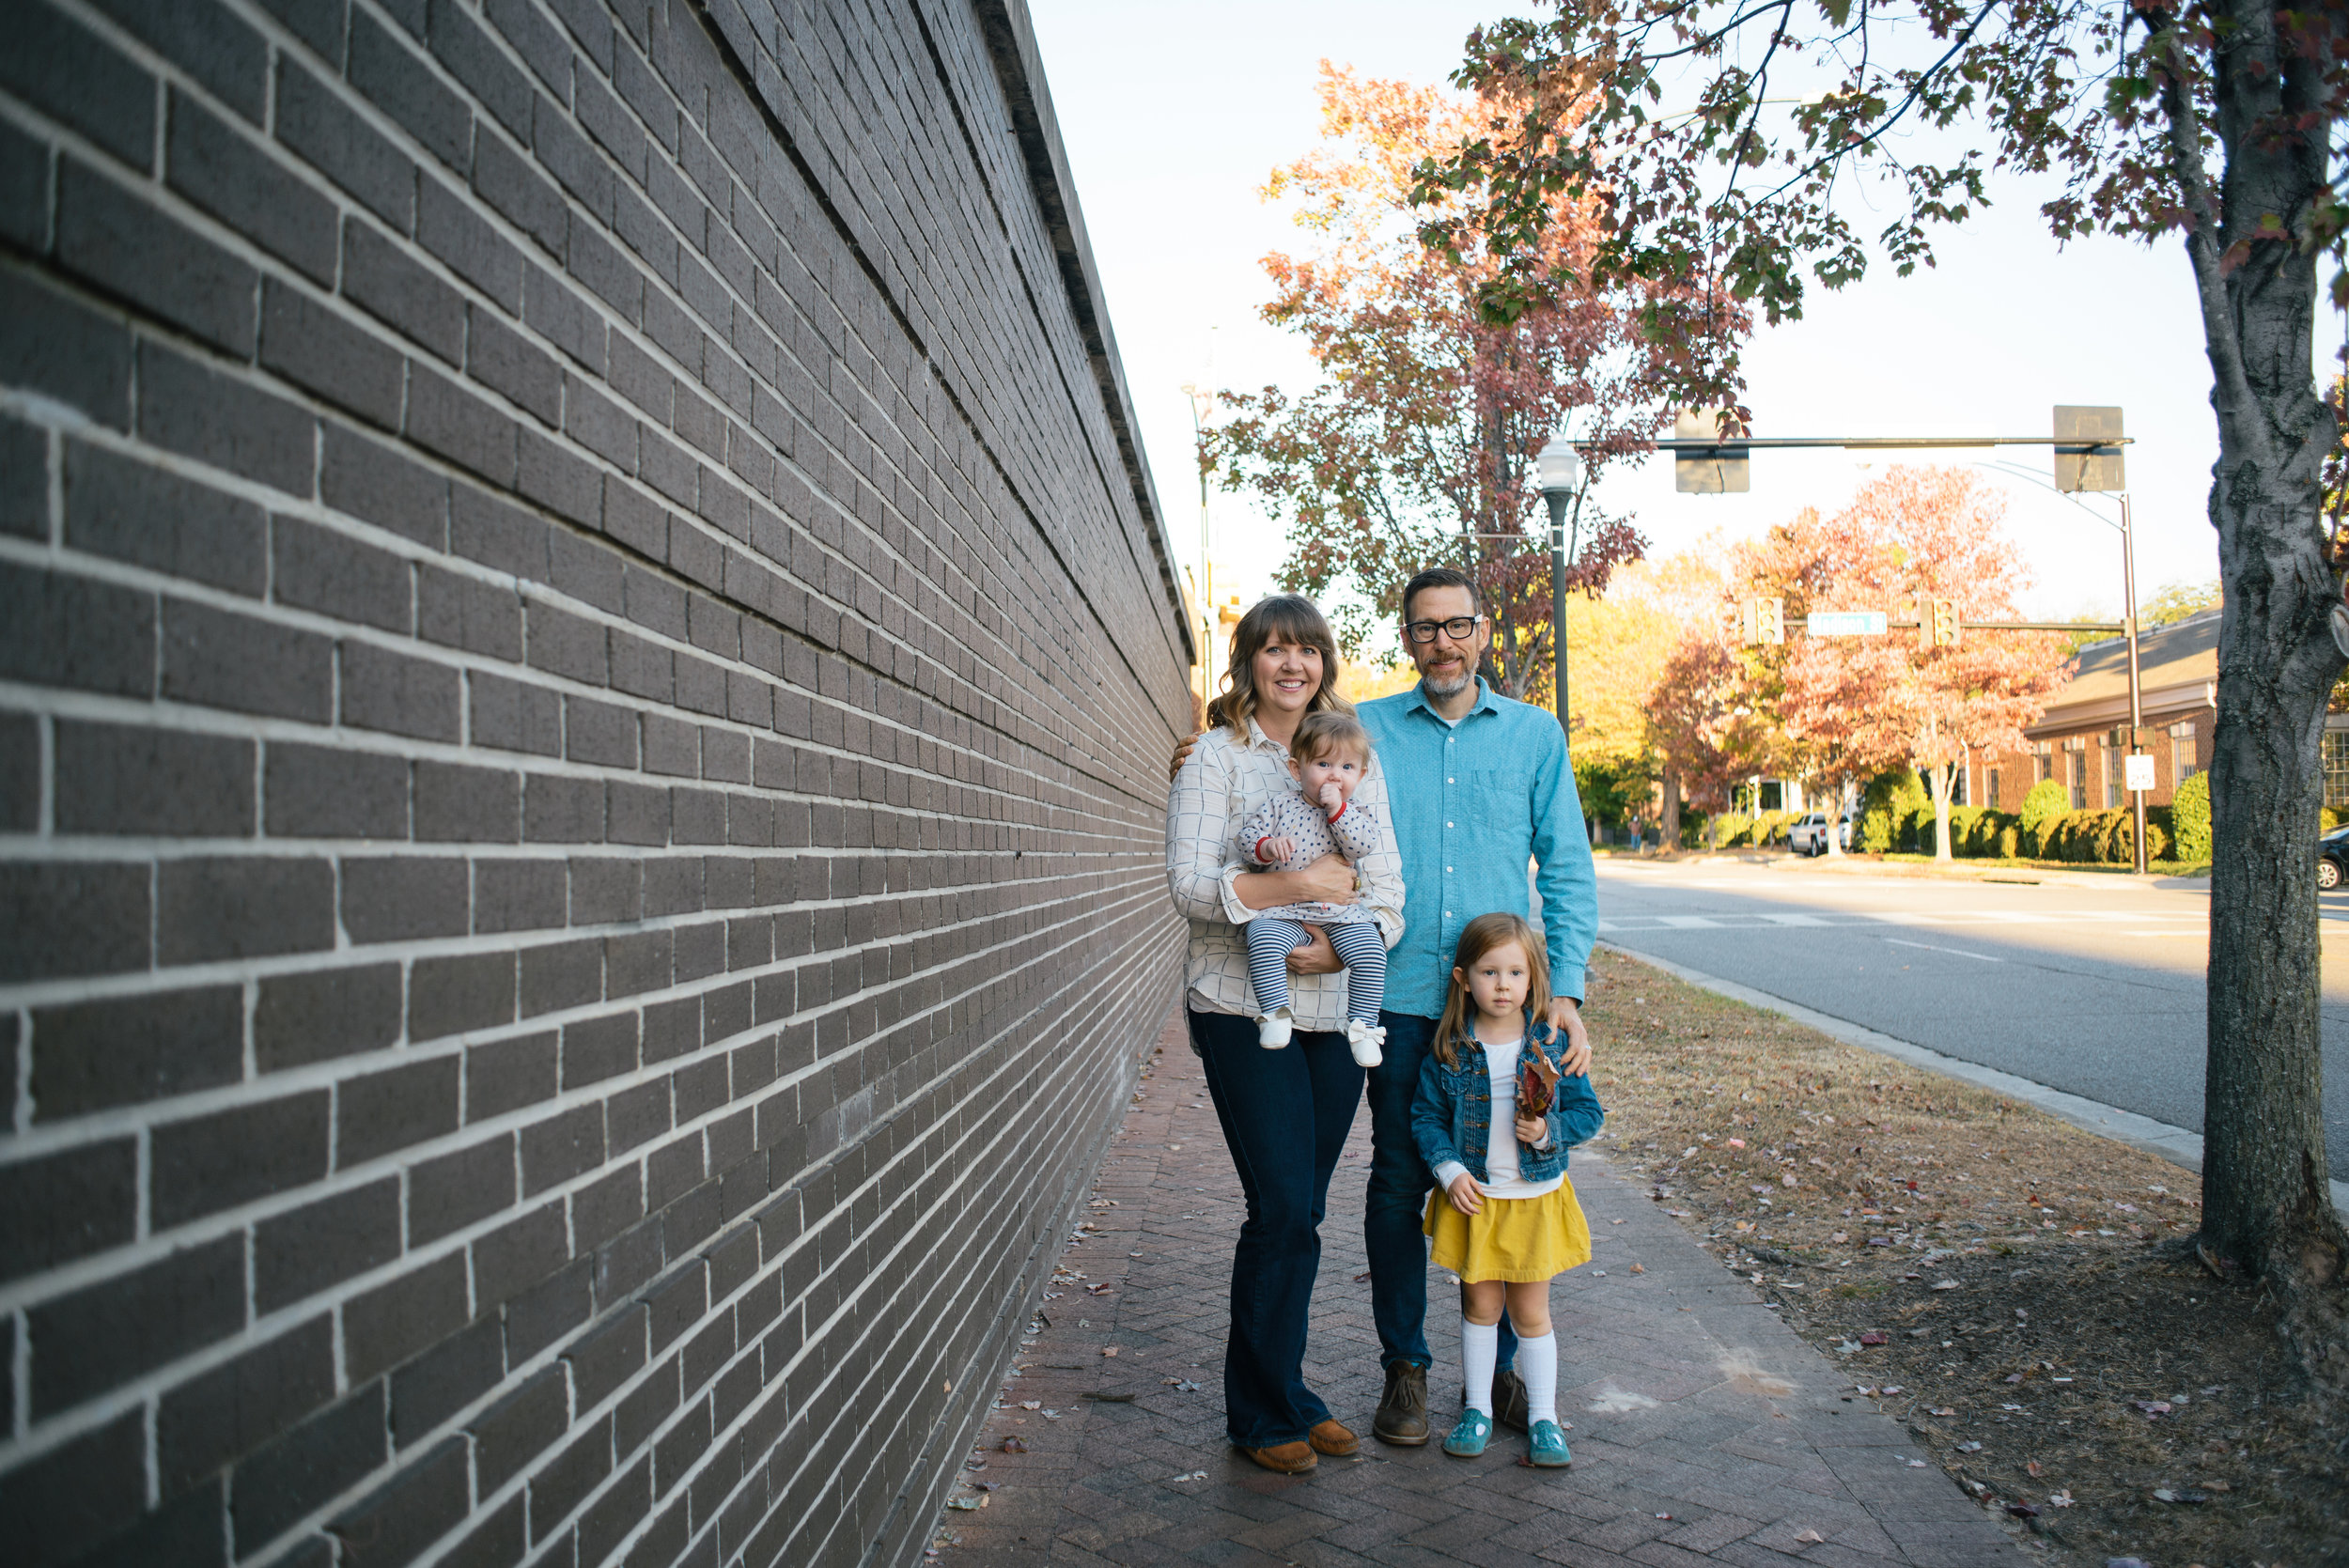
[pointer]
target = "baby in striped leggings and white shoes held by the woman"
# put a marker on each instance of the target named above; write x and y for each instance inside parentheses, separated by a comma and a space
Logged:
(1328, 757)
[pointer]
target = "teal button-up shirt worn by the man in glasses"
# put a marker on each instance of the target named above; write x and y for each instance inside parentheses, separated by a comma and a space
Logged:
(1472, 806)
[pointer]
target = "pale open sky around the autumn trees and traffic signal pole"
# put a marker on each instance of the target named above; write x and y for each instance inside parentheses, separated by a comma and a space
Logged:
(1173, 119)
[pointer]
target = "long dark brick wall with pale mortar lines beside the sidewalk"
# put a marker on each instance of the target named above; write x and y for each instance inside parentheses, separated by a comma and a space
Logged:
(586, 665)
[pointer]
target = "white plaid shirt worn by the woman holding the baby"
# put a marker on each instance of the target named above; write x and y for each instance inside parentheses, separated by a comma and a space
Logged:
(1218, 788)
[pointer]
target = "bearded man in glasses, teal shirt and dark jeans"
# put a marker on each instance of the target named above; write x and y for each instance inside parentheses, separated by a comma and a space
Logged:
(1479, 788)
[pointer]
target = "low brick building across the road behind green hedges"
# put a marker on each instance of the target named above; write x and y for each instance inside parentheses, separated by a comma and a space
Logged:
(2073, 741)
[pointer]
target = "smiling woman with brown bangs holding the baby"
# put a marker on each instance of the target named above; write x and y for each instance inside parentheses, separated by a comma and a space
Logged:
(1286, 1111)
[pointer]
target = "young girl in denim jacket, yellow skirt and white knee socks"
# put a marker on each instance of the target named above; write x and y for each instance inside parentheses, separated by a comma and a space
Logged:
(1507, 1219)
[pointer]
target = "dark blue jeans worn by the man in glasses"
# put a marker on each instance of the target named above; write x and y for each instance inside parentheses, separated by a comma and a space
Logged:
(1396, 1205)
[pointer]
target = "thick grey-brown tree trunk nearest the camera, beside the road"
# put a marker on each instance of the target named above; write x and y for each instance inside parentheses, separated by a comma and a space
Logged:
(2266, 1198)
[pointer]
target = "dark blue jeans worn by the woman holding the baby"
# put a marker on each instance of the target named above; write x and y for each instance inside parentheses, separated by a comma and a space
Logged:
(1286, 1118)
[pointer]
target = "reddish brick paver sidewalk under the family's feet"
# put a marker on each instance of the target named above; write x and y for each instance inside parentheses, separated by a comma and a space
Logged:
(1702, 1426)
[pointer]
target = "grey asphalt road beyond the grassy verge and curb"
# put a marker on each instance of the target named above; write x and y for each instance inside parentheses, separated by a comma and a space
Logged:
(2092, 985)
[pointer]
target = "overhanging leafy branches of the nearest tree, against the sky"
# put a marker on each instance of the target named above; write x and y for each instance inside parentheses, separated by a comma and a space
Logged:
(1746, 194)
